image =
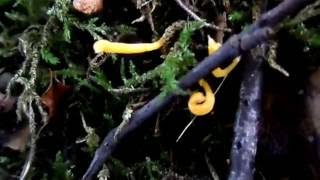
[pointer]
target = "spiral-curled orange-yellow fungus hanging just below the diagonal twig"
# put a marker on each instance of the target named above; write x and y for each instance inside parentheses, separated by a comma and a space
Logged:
(201, 104)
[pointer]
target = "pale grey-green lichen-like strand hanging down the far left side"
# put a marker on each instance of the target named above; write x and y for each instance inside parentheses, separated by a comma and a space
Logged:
(29, 101)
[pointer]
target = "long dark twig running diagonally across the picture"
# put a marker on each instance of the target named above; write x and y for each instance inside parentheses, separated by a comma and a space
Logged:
(254, 35)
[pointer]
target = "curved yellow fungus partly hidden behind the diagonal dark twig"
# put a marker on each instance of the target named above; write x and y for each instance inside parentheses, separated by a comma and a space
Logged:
(213, 46)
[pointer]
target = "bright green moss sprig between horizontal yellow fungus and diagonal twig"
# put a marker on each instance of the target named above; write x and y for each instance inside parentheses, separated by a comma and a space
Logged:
(179, 60)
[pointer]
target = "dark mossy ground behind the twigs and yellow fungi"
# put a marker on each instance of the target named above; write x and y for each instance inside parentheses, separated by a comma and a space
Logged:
(61, 39)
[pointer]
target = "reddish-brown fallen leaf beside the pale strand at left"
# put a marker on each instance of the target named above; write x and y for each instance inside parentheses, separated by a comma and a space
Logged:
(53, 96)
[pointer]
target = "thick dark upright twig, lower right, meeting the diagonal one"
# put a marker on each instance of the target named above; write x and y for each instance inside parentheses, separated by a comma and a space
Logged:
(249, 113)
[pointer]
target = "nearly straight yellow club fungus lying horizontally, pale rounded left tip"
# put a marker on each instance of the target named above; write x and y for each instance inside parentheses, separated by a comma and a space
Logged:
(105, 46)
